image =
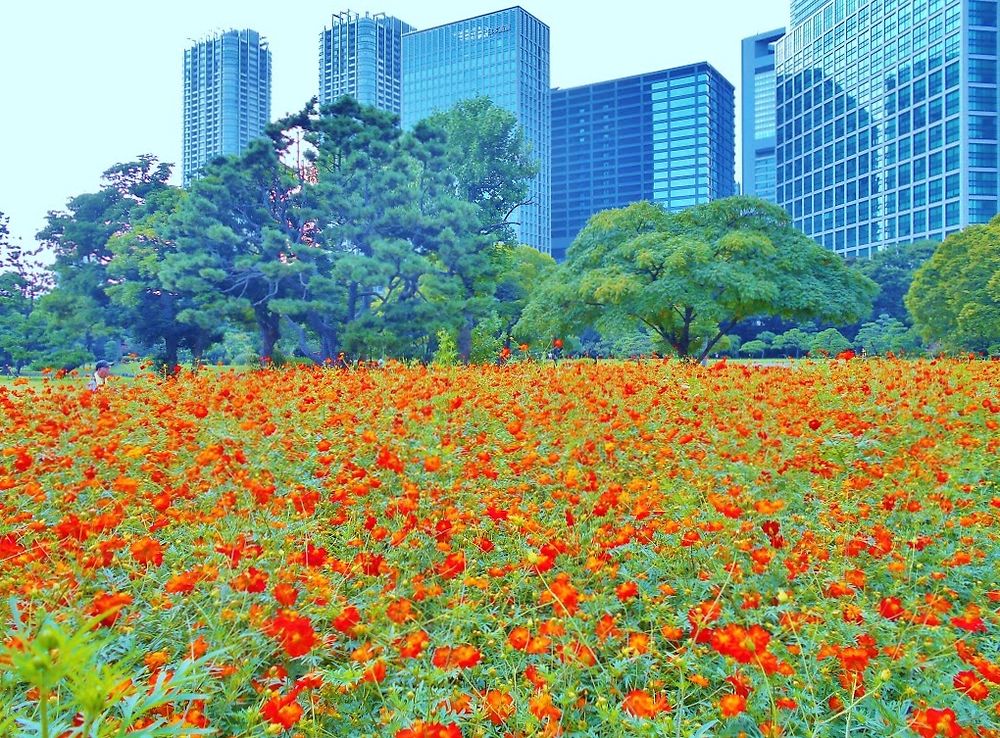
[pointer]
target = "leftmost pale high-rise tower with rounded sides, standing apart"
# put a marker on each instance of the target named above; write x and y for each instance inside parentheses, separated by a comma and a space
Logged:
(227, 96)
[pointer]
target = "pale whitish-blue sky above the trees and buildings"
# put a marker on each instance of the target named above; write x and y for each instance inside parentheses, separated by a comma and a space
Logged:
(85, 85)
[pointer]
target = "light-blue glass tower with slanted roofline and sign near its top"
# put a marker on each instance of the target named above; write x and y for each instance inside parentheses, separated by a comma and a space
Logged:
(503, 56)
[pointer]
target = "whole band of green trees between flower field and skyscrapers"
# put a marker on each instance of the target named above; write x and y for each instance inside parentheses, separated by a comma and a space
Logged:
(339, 235)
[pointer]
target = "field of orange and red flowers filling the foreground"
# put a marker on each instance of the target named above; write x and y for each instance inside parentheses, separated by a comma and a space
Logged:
(613, 549)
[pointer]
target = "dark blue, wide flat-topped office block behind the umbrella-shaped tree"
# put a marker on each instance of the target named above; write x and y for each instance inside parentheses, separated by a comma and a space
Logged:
(666, 136)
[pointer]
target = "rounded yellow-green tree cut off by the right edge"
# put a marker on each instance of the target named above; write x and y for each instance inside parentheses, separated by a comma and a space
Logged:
(955, 296)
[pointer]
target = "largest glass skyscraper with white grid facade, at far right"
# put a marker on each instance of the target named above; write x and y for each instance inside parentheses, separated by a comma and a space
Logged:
(887, 121)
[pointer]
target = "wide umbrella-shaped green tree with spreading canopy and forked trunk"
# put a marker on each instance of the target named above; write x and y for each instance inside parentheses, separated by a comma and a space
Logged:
(690, 277)
